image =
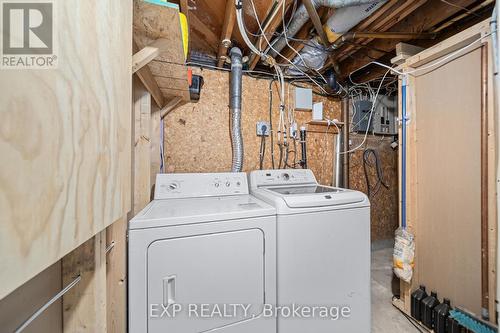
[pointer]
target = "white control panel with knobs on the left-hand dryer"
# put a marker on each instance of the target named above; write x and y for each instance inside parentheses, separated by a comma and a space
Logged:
(193, 185)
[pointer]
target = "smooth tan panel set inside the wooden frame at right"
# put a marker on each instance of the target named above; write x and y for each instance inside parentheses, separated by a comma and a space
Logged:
(448, 114)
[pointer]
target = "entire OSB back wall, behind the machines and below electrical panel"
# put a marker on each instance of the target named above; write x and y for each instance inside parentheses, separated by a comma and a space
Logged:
(197, 139)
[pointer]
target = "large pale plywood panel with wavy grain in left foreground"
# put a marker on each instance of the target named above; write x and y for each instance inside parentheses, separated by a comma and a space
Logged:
(65, 140)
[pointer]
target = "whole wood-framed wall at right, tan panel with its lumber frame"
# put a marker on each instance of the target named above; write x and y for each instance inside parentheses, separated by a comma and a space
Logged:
(451, 176)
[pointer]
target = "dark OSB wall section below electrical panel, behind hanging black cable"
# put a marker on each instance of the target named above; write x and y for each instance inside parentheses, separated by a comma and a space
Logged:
(384, 203)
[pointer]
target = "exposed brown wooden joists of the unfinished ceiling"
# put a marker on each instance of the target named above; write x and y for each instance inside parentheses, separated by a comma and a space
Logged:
(442, 18)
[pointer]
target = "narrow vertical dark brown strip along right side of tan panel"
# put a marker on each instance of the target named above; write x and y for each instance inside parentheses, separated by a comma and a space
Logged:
(484, 184)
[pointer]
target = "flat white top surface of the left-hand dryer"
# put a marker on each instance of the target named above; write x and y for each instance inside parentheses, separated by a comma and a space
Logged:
(169, 212)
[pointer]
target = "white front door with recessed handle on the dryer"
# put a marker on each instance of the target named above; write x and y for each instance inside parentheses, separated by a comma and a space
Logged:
(205, 277)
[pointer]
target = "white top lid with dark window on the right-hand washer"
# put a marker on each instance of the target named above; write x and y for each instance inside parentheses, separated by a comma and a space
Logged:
(309, 196)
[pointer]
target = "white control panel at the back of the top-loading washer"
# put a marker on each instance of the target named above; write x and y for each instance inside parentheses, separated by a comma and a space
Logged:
(281, 177)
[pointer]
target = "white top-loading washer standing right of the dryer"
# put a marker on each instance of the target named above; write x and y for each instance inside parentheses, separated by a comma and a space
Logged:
(323, 251)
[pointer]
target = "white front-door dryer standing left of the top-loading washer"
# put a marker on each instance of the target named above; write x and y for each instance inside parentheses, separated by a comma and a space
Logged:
(198, 253)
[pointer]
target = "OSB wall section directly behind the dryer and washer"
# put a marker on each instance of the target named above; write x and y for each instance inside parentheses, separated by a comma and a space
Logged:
(197, 137)
